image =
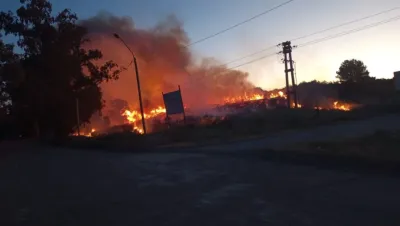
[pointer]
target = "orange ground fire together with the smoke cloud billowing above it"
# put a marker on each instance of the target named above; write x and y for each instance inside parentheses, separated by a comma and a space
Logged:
(164, 64)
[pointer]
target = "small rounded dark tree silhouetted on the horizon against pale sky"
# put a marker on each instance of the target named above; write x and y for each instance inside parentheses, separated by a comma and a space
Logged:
(352, 71)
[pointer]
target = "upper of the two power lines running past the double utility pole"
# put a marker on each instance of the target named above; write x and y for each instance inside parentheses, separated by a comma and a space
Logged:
(314, 33)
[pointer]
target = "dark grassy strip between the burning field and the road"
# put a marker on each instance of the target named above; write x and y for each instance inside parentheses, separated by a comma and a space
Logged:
(235, 127)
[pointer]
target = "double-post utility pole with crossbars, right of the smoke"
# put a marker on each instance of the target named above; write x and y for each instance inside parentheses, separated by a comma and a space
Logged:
(291, 92)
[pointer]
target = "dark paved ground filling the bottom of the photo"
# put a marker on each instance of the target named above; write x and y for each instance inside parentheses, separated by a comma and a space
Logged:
(66, 187)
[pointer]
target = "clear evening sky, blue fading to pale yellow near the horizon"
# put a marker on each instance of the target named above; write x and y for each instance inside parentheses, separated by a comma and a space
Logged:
(378, 47)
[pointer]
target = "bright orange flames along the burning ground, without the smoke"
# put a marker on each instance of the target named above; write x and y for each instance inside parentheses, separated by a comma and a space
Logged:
(130, 120)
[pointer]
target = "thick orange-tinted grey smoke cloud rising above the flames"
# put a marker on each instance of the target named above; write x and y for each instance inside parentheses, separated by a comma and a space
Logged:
(164, 62)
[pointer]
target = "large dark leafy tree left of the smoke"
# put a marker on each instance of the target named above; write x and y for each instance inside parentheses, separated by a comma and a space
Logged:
(55, 69)
